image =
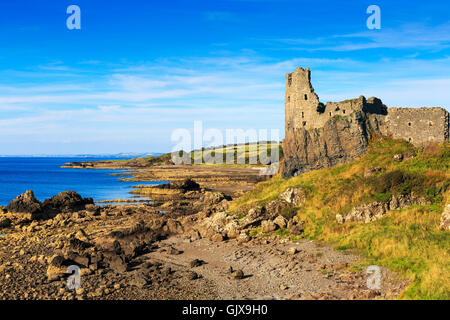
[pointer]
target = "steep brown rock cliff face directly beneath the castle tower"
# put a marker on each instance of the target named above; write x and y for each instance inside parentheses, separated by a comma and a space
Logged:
(342, 139)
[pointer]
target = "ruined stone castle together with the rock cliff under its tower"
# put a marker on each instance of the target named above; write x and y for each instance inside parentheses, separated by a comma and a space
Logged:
(322, 135)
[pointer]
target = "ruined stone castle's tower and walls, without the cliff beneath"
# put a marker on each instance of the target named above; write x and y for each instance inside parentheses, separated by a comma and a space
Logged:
(304, 110)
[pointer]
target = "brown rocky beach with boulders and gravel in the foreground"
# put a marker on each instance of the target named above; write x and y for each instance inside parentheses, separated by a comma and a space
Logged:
(183, 247)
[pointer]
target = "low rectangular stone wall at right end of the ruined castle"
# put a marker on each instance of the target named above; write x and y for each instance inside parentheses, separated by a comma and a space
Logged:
(417, 125)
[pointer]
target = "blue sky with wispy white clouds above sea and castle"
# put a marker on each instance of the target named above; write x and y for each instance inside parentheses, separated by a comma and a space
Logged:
(138, 70)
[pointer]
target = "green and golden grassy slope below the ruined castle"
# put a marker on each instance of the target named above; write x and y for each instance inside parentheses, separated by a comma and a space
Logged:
(407, 240)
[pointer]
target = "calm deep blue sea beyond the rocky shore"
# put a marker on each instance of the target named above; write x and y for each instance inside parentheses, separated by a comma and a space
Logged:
(45, 177)
